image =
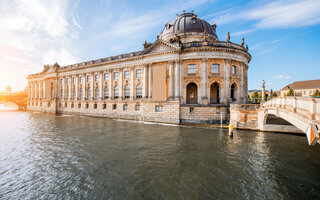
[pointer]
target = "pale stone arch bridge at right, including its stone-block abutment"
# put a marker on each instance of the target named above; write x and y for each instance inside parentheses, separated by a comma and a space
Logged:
(282, 114)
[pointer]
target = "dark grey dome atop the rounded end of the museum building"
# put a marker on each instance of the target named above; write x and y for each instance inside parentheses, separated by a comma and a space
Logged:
(186, 23)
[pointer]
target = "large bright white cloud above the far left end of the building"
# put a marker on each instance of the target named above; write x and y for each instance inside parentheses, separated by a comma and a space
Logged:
(34, 33)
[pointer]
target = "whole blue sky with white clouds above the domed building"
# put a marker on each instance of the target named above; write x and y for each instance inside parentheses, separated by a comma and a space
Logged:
(283, 36)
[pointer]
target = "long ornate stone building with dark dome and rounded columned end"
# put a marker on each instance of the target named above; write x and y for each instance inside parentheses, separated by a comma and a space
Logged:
(186, 76)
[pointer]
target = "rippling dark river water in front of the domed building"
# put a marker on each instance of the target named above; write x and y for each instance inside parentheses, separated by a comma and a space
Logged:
(44, 156)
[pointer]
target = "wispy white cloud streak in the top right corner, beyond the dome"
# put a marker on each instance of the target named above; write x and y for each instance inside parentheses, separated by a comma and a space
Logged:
(277, 14)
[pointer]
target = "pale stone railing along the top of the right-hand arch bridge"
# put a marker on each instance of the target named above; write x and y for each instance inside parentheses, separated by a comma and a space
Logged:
(307, 106)
